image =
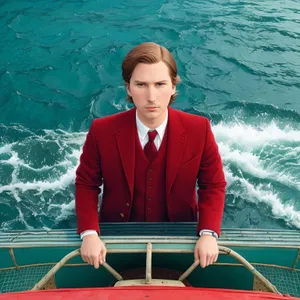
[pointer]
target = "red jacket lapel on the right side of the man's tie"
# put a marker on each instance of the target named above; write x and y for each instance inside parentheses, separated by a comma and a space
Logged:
(176, 145)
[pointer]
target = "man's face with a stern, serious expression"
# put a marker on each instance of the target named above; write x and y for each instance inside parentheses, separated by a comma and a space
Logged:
(151, 89)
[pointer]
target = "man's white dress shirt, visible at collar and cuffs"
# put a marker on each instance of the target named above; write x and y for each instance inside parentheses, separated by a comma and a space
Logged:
(143, 137)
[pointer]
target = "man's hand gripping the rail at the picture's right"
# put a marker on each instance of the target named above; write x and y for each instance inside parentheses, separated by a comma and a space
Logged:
(206, 250)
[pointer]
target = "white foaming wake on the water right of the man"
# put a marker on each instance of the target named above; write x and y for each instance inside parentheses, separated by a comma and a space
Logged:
(268, 153)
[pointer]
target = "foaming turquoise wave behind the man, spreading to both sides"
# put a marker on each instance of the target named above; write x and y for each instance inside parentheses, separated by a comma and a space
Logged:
(262, 160)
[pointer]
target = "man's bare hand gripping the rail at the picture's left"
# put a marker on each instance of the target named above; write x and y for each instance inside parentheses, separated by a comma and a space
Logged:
(93, 250)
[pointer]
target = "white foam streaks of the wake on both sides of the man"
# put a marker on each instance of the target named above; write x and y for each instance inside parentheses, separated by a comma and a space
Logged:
(267, 153)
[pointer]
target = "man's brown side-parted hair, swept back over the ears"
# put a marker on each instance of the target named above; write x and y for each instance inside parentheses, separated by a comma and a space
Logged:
(149, 53)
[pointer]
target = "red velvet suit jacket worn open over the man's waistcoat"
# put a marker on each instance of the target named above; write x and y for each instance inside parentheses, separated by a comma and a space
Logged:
(108, 158)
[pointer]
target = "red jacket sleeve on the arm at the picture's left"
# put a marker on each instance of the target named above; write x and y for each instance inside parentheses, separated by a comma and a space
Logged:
(87, 184)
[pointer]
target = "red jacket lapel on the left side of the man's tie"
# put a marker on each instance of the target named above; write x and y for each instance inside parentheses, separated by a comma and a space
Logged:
(126, 145)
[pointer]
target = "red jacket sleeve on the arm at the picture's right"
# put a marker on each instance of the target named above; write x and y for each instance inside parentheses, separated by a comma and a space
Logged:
(211, 185)
